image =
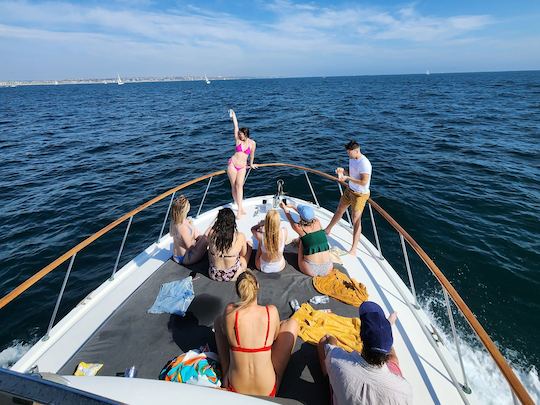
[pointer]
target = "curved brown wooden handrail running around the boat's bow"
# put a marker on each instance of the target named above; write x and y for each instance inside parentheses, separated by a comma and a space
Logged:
(515, 384)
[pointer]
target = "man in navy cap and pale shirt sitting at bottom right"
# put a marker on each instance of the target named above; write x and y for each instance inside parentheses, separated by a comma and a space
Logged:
(371, 377)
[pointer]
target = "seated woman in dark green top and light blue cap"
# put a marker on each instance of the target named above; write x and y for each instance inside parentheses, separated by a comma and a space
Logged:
(313, 249)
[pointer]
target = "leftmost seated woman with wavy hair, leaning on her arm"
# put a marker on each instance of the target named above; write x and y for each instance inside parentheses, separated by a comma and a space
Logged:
(188, 246)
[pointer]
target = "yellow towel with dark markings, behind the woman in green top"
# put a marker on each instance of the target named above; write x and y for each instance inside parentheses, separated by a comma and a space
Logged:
(339, 286)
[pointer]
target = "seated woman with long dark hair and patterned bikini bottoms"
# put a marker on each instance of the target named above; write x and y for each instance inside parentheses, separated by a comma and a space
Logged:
(228, 250)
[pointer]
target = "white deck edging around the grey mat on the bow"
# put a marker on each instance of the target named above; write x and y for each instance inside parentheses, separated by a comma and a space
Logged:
(419, 361)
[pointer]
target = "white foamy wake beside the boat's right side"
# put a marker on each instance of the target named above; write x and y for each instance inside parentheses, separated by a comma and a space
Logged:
(483, 374)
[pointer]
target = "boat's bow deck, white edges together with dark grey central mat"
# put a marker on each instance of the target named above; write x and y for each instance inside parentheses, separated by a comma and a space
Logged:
(111, 325)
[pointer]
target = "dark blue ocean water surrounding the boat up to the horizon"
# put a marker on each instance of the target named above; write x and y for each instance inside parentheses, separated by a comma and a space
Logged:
(455, 161)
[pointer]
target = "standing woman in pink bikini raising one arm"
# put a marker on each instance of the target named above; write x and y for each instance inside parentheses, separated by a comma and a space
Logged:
(236, 169)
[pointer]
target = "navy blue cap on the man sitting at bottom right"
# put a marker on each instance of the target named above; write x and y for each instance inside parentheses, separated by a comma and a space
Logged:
(375, 330)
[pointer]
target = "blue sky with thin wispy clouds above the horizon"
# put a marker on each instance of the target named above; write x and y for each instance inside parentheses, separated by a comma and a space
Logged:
(68, 39)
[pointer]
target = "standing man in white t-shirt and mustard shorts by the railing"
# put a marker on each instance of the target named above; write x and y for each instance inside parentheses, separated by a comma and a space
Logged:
(357, 192)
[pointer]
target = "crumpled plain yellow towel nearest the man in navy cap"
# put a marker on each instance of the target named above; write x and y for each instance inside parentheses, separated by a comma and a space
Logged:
(315, 324)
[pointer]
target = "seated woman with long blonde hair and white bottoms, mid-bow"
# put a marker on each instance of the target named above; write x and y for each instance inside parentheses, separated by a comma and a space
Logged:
(271, 237)
